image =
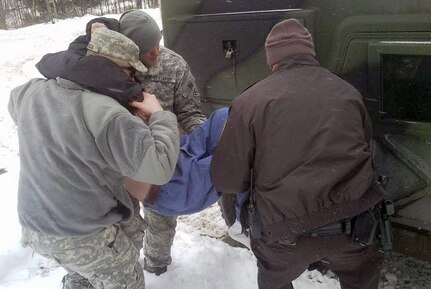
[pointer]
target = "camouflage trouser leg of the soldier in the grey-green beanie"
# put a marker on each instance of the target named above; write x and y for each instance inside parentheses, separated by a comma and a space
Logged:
(158, 238)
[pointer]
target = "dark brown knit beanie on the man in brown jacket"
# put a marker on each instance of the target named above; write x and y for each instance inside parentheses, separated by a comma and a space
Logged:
(287, 38)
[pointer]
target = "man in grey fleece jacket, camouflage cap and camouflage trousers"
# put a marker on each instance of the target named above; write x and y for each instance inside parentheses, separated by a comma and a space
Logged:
(72, 203)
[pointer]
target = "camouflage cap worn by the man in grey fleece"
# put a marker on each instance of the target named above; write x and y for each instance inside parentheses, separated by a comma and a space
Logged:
(114, 45)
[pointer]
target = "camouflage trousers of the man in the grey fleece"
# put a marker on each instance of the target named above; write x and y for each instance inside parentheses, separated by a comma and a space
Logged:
(106, 260)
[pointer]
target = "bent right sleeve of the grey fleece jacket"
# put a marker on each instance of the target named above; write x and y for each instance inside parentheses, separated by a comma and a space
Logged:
(144, 153)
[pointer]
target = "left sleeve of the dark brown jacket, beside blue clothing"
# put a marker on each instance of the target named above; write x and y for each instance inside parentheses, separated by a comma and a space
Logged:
(234, 156)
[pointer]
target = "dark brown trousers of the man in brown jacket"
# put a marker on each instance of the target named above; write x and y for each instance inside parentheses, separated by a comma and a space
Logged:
(358, 267)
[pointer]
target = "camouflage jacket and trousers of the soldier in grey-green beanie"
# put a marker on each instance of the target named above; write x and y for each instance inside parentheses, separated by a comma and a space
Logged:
(174, 85)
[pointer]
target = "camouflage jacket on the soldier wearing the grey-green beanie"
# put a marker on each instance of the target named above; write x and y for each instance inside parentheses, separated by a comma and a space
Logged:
(174, 85)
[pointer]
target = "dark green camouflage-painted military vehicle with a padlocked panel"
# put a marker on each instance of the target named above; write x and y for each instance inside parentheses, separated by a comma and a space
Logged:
(382, 47)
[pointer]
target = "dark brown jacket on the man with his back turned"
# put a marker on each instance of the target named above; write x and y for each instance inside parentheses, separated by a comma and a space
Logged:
(306, 134)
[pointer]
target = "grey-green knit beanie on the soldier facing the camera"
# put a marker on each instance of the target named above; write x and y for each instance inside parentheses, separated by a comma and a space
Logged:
(141, 28)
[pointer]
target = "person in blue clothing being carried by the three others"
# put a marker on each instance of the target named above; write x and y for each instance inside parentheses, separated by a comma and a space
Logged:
(190, 189)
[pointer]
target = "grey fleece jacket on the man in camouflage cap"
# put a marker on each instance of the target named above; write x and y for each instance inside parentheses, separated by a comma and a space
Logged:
(76, 148)
